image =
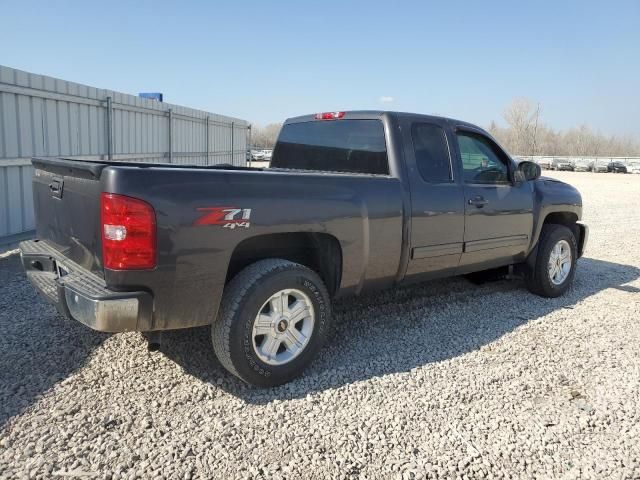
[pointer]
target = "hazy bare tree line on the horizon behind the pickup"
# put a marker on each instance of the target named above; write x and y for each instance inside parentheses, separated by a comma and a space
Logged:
(525, 134)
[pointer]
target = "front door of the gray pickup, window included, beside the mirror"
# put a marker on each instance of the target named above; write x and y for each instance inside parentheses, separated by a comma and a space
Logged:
(498, 212)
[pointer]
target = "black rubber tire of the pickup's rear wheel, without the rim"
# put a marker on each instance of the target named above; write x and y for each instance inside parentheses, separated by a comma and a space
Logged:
(243, 298)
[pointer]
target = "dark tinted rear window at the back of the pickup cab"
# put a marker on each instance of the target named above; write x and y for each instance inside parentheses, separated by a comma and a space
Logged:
(353, 146)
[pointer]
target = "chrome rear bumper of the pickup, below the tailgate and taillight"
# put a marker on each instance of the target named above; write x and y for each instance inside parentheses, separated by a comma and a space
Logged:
(82, 295)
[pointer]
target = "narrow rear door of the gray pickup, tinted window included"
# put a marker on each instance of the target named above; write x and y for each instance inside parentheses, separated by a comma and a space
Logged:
(437, 201)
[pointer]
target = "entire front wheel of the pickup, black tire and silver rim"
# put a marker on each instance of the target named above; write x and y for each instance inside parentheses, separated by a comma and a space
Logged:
(555, 264)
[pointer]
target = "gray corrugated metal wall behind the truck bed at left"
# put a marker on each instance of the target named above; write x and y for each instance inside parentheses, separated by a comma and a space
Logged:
(45, 116)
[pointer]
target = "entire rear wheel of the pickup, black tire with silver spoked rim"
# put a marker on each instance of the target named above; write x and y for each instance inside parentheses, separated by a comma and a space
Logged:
(249, 293)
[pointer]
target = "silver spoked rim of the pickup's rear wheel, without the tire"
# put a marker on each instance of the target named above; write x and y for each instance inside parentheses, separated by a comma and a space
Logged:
(283, 327)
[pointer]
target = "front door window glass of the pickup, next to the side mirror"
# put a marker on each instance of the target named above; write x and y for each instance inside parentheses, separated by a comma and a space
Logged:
(481, 161)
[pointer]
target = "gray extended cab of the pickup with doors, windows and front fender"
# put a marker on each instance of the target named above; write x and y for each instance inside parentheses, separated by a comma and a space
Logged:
(467, 205)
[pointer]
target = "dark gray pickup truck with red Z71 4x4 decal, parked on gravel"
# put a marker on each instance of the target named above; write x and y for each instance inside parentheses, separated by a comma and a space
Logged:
(352, 202)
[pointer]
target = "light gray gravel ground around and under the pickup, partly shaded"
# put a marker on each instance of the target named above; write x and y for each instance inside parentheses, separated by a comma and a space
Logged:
(443, 380)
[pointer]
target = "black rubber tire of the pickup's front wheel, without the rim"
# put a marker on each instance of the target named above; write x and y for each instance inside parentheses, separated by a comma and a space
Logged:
(537, 277)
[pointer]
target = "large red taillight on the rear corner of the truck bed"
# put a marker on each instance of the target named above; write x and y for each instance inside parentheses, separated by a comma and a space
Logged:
(128, 233)
